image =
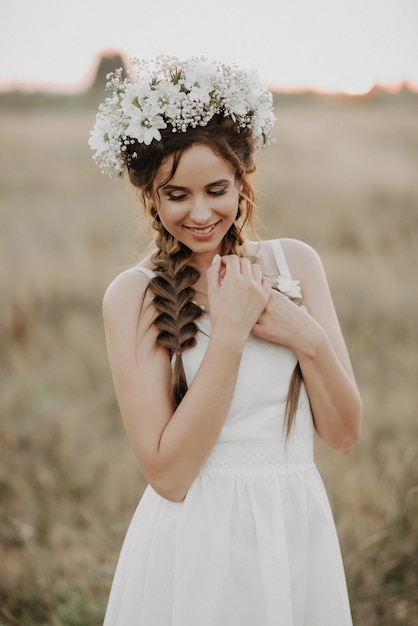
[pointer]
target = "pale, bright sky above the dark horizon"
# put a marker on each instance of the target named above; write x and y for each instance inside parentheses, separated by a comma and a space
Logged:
(325, 45)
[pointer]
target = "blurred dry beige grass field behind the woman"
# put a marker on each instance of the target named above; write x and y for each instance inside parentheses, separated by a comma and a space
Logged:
(343, 177)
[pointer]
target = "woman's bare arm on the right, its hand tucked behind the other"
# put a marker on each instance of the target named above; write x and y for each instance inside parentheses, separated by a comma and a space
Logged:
(317, 340)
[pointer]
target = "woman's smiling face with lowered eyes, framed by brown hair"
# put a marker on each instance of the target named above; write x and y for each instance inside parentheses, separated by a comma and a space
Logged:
(199, 203)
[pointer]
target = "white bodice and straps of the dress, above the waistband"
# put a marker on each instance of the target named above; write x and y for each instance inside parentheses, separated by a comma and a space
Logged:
(258, 404)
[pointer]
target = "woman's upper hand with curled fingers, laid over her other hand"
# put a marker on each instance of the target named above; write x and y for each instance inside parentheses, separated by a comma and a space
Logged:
(237, 293)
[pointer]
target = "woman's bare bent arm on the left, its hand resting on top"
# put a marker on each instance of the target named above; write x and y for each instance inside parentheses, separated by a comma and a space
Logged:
(172, 445)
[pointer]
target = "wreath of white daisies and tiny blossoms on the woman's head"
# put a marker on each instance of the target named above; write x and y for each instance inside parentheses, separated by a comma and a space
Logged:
(181, 94)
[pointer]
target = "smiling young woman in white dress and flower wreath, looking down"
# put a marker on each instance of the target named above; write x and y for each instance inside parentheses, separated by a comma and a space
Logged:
(224, 365)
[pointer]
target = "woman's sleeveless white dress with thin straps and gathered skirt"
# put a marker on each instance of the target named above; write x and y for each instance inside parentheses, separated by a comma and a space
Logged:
(254, 542)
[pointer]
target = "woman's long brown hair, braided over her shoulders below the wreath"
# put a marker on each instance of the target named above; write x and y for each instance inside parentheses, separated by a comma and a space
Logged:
(172, 285)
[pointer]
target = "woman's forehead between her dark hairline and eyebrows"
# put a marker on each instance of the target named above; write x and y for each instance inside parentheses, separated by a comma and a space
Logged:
(197, 164)
